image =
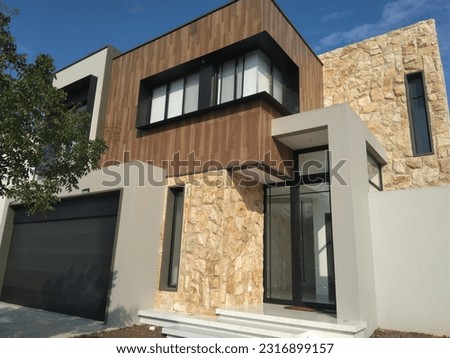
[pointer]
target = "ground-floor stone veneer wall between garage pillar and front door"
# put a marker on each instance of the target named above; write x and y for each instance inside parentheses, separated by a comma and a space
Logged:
(222, 245)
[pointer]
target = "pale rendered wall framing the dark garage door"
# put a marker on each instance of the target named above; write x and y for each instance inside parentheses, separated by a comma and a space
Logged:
(134, 268)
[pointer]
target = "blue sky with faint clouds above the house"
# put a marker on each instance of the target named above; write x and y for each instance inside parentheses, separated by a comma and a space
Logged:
(69, 30)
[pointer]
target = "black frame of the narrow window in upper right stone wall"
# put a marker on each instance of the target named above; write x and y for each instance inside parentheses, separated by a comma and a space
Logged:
(413, 116)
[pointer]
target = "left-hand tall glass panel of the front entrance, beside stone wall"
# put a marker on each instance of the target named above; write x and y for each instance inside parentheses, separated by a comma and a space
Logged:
(278, 244)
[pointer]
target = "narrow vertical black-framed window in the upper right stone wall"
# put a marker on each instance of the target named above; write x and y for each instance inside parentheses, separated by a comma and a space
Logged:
(421, 137)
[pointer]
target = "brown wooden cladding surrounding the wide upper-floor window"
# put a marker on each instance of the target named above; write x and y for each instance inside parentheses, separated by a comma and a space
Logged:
(240, 133)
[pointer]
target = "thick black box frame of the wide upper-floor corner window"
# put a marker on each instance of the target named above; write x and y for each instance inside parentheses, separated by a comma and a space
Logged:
(208, 67)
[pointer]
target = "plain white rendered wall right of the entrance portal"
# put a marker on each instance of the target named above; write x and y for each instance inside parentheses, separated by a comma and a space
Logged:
(411, 246)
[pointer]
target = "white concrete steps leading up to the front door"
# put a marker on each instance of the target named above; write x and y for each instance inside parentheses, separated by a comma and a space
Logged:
(273, 321)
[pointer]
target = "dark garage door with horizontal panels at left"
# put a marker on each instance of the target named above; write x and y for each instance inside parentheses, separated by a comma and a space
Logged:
(62, 262)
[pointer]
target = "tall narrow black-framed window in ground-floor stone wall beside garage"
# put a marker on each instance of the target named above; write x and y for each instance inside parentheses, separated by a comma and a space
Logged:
(170, 262)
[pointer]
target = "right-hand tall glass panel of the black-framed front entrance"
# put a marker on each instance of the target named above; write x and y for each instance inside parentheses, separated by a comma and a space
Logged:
(316, 247)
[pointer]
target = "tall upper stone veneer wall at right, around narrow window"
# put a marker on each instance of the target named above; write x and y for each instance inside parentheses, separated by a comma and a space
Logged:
(370, 77)
